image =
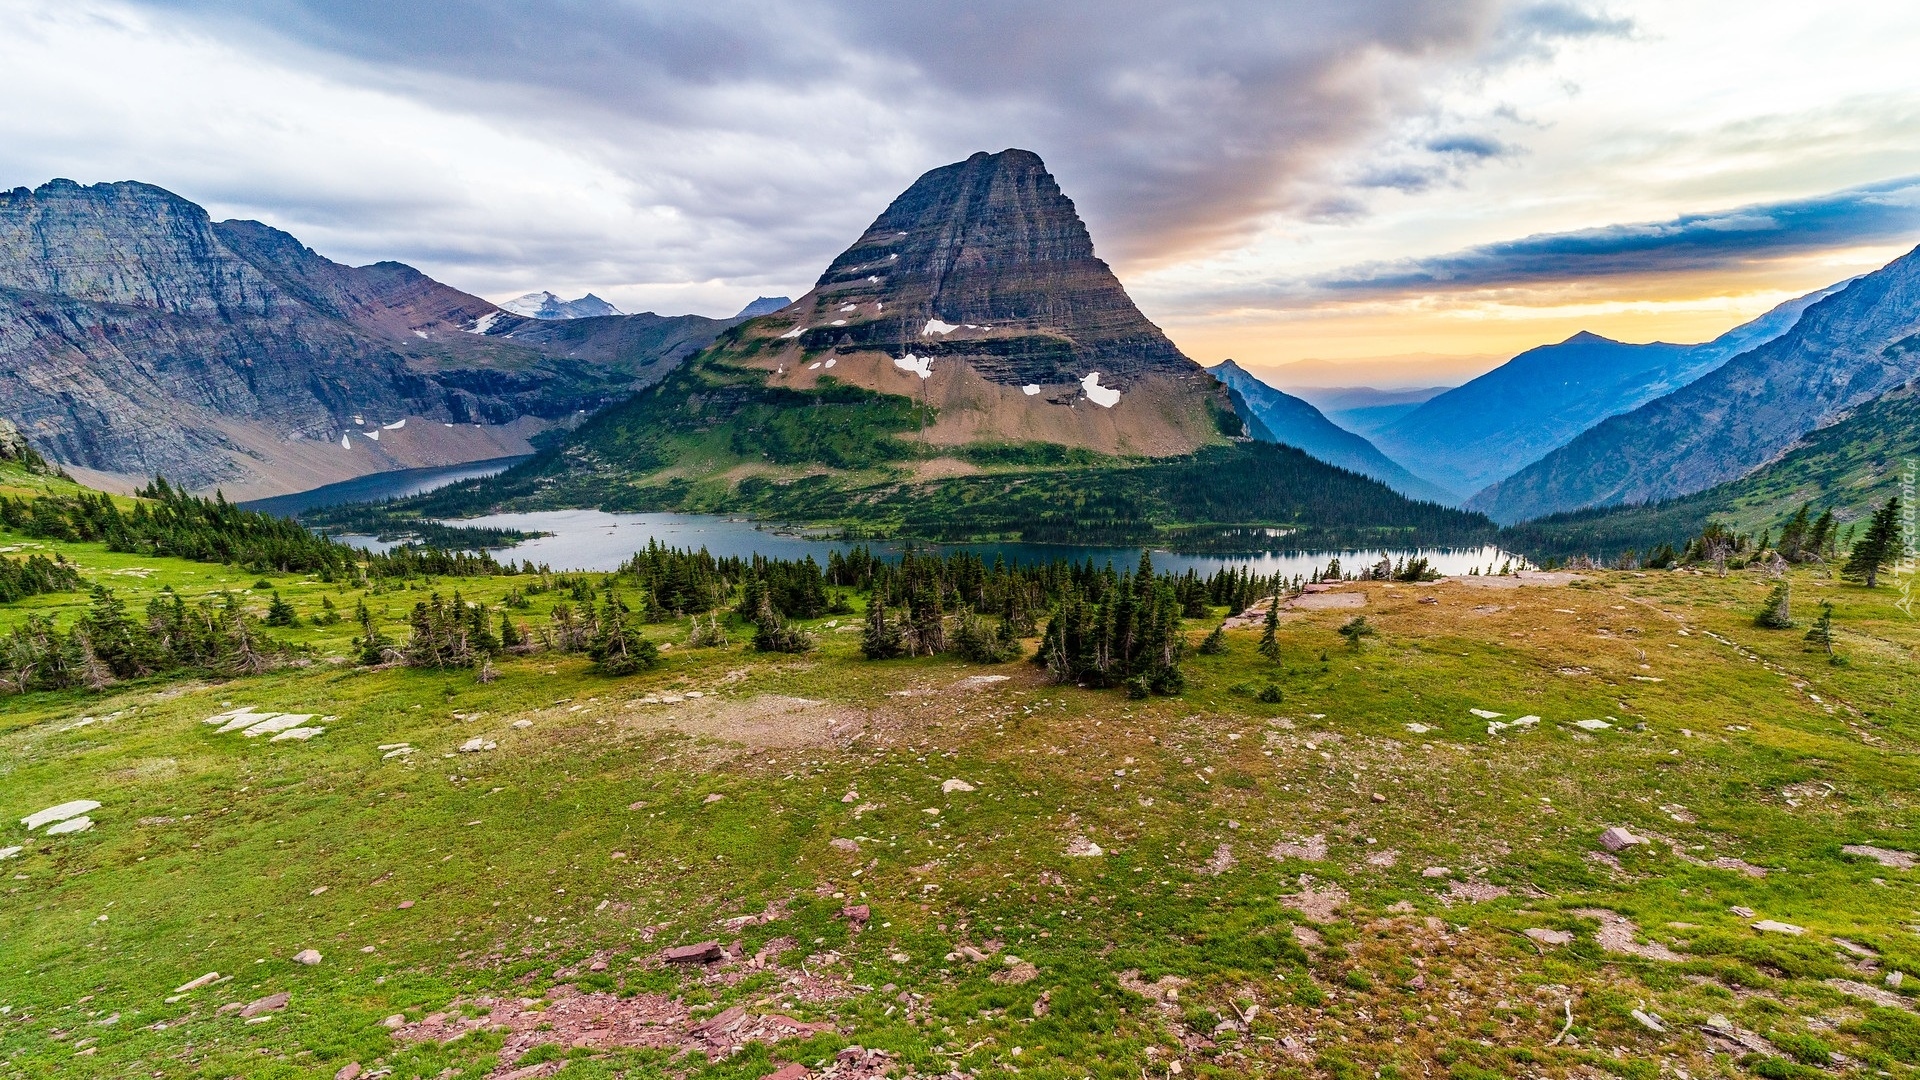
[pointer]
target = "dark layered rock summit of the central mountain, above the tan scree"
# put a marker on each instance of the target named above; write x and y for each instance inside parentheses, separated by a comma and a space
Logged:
(988, 260)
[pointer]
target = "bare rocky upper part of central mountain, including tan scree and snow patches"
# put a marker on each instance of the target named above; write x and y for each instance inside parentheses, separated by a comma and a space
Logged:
(978, 293)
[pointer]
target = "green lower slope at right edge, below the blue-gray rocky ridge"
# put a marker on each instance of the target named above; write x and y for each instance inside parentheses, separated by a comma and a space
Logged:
(1850, 468)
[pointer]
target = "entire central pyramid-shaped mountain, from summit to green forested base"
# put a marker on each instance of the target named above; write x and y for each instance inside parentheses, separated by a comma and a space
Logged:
(969, 368)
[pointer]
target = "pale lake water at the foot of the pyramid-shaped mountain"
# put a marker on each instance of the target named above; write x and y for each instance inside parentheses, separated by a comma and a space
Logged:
(600, 541)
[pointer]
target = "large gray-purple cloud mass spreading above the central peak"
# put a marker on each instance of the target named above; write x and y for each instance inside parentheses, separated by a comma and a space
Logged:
(773, 132)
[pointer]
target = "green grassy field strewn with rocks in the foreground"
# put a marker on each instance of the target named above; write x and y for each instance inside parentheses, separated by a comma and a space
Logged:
(1356, 881)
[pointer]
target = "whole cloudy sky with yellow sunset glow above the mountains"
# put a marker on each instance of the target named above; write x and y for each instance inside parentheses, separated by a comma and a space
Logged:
(1408, 189)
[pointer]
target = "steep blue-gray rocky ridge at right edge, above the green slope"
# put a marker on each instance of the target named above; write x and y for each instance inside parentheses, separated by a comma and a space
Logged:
(1846, 351)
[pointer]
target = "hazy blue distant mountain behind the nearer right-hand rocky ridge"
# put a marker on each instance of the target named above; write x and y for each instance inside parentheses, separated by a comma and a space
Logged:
(1499, 424)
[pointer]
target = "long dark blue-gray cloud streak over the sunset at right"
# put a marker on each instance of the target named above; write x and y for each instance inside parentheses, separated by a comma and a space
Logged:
(1871, 214)
